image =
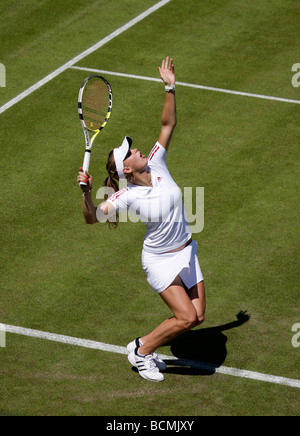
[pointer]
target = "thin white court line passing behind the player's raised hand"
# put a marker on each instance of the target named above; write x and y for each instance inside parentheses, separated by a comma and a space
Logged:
(190, 85)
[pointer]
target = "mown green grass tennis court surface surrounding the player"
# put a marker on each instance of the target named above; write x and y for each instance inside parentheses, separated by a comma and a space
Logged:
(59, 275)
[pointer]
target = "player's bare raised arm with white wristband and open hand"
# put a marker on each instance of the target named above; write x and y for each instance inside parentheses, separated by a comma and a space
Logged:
(168, 119)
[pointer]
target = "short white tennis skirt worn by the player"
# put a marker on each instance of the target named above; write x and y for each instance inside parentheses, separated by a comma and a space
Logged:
(162, 269)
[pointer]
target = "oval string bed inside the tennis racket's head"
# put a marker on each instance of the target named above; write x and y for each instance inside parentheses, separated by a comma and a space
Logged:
(95, 103)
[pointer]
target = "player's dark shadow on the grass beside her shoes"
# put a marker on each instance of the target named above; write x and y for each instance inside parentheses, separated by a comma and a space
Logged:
(200, 352)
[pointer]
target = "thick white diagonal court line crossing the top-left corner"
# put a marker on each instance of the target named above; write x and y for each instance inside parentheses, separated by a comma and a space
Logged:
(82, 55)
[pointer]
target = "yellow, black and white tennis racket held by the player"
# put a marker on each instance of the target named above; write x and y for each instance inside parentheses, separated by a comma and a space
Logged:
(94, 109)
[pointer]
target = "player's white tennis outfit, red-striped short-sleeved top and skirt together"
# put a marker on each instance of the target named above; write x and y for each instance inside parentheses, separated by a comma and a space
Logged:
(160, 208)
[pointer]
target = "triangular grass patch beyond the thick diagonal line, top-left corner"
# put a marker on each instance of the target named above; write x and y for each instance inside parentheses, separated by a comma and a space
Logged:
(38, 37)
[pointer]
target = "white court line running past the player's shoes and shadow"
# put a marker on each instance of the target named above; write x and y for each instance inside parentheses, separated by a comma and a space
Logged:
(172, 360)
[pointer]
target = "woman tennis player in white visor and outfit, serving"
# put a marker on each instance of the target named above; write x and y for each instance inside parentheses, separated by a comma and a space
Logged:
(169, 255)
